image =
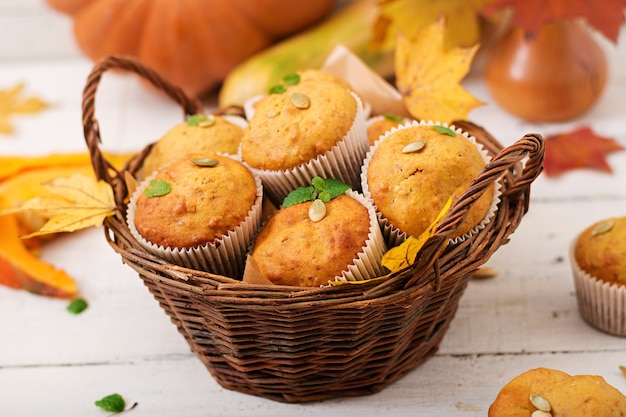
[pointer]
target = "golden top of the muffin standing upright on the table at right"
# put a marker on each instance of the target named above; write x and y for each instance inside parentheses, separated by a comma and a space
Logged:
(600, 250)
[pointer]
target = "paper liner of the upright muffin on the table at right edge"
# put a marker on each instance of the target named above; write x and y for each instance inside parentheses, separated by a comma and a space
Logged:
(601, 304)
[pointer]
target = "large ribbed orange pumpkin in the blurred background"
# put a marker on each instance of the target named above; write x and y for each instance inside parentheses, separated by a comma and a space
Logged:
(192, 43)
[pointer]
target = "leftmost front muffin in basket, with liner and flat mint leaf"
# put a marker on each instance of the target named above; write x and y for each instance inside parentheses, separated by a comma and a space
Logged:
(193, 206)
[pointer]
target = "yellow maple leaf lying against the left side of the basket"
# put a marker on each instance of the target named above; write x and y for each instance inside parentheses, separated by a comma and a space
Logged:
(75, 203)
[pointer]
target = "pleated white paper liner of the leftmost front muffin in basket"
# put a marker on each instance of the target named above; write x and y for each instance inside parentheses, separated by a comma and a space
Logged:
(225, 256)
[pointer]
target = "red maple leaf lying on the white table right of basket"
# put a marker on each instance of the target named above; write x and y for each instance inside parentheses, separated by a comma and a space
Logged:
(580, 148)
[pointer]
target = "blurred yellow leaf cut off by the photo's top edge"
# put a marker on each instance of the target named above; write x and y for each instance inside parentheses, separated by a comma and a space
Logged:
(411, 16)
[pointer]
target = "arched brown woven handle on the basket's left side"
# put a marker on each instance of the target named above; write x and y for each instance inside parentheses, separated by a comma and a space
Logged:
(102, 168)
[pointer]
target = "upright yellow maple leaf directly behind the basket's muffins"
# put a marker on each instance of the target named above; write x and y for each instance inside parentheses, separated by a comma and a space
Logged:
(428, 77)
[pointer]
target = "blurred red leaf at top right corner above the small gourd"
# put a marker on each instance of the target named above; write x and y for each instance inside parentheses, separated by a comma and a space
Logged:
(606, 16)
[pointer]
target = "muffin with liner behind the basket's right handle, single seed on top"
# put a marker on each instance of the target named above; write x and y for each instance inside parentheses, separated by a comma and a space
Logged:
(412, 172)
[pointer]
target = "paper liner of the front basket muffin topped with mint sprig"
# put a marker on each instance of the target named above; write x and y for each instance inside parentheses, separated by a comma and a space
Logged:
(365, 266)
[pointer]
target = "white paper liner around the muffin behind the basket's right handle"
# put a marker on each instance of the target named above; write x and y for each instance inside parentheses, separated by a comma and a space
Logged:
(394, 236)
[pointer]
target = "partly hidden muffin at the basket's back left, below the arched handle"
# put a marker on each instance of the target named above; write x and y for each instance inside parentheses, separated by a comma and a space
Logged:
(199, 134)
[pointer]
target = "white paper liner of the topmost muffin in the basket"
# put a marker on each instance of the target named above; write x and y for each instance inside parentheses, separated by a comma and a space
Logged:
(342, 162)
